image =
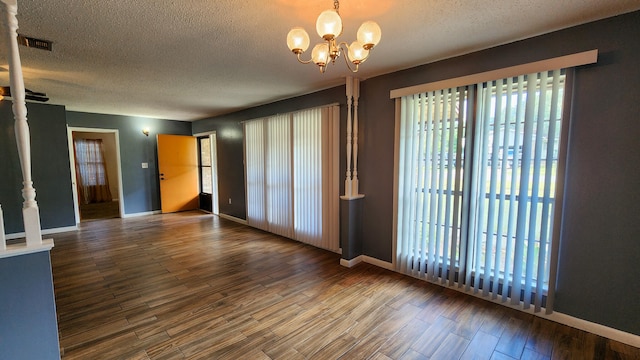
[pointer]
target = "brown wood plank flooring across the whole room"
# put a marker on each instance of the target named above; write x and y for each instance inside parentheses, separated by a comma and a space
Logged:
(194, 286)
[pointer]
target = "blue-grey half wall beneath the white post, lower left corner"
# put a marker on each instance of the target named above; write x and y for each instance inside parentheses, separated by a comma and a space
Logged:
(28, 324)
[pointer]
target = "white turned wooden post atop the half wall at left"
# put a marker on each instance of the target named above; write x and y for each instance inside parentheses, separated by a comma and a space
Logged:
(30, 212)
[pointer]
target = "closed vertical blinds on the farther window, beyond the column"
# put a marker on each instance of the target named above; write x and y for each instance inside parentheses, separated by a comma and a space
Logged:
(291, 166)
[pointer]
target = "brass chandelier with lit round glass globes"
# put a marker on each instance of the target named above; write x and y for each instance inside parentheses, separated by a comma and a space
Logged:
(329, 27)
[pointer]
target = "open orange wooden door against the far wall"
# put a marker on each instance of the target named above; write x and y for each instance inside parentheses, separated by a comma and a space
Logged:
(178, 167)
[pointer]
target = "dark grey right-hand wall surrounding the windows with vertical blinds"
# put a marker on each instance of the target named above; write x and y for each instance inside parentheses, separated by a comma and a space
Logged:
(598, 266)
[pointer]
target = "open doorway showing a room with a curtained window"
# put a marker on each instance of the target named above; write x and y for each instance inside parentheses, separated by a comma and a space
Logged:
(108, 208)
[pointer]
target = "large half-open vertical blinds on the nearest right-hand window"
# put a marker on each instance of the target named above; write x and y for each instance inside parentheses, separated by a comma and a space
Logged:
(476, 184)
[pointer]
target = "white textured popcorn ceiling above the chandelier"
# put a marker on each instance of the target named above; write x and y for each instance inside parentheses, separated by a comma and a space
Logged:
(192, 59)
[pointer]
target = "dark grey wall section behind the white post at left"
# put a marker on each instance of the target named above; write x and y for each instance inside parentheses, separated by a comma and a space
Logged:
(49, 163)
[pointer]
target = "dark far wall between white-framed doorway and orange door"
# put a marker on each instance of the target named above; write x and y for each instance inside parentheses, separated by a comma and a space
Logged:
(140, 187)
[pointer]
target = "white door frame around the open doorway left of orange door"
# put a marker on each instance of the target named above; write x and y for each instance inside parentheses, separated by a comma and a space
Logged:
(72, 162)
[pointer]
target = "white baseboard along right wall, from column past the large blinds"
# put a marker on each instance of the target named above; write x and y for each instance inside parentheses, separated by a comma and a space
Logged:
(581, 324)
